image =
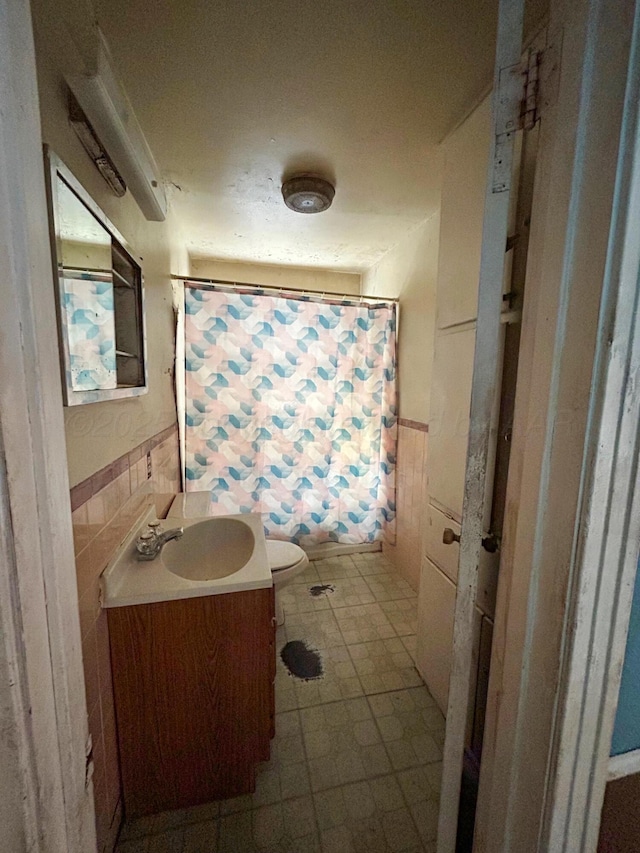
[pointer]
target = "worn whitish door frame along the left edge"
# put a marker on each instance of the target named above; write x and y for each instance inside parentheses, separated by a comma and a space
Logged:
(42, 703)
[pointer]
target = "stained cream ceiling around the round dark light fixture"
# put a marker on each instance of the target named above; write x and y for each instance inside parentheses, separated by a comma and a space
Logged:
(234, 96)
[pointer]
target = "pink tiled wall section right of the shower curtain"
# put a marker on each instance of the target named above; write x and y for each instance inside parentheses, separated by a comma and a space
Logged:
(411, 500)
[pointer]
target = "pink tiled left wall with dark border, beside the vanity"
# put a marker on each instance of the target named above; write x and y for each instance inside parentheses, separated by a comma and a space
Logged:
(105, 507)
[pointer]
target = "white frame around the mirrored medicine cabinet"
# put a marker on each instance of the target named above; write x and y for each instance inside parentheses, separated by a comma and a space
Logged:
(72, 397)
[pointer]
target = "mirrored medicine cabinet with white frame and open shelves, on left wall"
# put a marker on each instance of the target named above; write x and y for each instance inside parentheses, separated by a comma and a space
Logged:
(100, 297)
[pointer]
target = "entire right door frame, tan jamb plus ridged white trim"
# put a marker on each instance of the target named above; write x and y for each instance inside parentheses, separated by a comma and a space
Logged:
(572, 528)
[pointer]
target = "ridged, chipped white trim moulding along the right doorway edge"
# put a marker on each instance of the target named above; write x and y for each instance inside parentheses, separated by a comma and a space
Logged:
(608, 528)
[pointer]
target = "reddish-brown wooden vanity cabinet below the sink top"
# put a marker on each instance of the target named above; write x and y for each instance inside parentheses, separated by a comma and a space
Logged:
(194, 691)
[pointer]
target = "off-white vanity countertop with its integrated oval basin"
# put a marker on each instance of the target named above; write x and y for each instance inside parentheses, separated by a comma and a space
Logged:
(215, 555)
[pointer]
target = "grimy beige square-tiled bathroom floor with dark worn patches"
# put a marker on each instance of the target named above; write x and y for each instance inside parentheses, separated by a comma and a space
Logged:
(356, 760)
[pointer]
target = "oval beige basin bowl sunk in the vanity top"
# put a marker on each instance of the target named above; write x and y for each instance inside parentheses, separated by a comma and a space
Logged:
(209, 550)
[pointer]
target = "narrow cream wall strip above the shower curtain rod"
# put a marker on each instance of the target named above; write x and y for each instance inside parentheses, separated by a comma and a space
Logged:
(297, 278)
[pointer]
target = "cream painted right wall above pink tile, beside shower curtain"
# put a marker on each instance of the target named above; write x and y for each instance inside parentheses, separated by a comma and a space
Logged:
(408, 272)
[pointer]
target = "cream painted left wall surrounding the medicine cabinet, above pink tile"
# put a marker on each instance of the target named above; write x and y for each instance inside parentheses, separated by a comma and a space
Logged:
(98, 433)
